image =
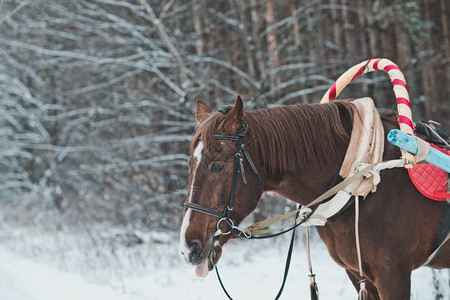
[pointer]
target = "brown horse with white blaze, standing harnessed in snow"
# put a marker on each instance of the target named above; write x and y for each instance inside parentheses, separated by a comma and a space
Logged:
(298, 150)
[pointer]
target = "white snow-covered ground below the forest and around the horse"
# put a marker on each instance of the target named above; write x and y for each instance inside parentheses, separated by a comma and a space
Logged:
(154, 269)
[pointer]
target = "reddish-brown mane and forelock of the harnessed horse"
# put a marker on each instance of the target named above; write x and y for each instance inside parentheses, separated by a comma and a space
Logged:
(286, 137)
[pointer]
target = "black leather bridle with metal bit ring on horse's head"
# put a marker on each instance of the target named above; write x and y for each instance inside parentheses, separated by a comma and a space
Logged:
(241, 151)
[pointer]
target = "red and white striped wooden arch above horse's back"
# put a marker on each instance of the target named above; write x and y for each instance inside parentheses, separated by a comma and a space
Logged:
(397, 79)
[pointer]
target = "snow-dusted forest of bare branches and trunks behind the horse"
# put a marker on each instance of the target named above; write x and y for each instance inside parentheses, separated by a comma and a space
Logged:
(97, 97)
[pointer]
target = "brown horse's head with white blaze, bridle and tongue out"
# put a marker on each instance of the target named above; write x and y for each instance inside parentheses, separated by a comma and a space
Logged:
(223, 186)
